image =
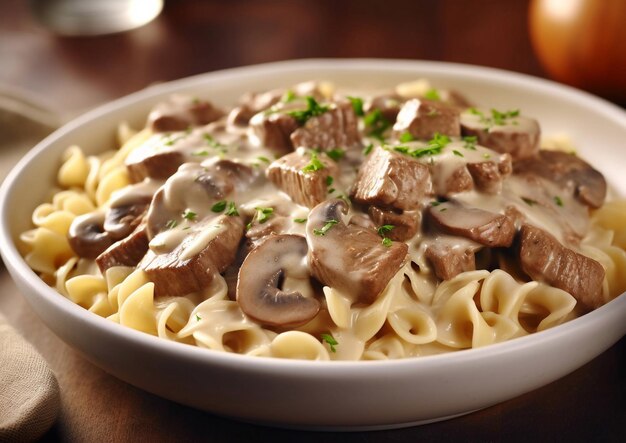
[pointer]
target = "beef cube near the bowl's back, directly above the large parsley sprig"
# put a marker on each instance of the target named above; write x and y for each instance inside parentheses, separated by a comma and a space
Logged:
(423, 118)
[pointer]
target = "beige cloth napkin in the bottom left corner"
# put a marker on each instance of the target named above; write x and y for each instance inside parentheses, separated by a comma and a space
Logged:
(29, 392)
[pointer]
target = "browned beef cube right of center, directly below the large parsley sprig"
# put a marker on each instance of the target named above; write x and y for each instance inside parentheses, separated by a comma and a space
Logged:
(390, 179)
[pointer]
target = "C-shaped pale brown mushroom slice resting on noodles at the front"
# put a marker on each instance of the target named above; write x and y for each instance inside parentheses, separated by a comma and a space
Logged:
(258, 287)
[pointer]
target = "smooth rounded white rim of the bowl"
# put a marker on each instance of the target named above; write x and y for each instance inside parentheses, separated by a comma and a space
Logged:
(21, 271)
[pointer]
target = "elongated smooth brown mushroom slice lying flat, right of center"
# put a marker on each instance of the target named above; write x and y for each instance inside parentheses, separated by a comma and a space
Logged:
(484, 227)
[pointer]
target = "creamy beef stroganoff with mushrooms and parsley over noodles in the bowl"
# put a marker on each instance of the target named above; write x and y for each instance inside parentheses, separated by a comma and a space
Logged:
(315, 223)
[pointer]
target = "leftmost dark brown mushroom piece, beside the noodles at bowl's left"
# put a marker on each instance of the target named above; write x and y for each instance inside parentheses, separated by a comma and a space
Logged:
(87, 236)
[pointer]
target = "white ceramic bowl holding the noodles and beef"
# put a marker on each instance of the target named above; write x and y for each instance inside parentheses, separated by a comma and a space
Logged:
(329, 395)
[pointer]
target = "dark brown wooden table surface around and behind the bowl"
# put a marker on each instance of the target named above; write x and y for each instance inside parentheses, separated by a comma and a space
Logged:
(190, 37)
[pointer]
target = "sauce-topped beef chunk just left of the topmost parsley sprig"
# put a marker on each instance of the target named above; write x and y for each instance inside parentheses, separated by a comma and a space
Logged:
(274, 130)
